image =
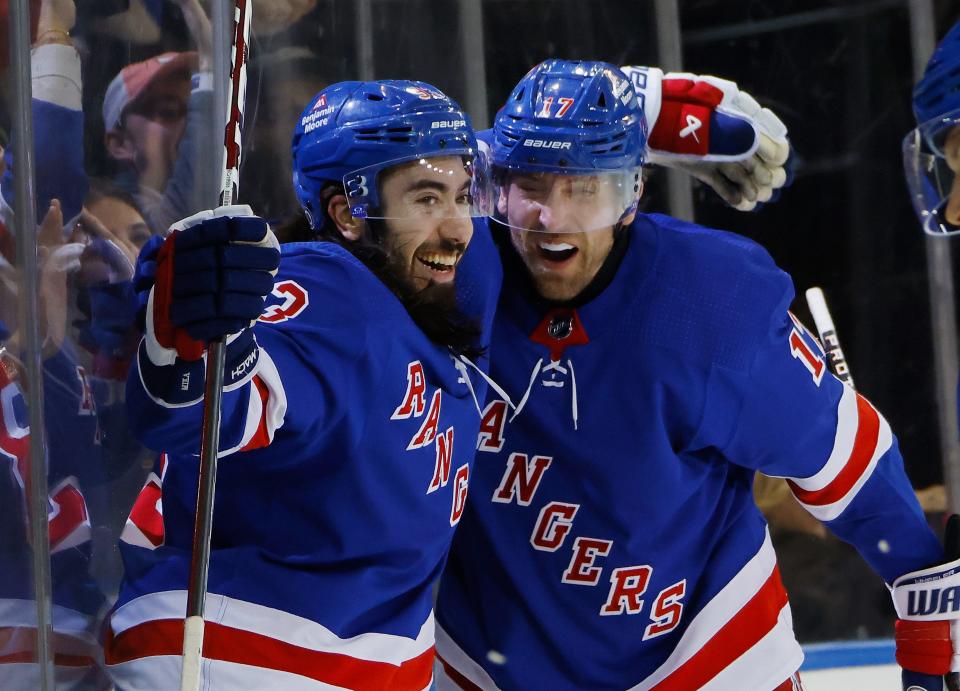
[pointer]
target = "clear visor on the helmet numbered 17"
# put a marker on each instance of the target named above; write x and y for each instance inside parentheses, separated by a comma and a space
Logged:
(571, 202)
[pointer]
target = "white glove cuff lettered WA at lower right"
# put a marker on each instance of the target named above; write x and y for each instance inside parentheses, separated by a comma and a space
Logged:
(929, 594)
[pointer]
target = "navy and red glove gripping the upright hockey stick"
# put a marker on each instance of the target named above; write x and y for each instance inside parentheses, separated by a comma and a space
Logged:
(213, 273)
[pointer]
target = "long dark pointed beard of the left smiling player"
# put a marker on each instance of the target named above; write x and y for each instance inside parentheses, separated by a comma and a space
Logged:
(433, 309)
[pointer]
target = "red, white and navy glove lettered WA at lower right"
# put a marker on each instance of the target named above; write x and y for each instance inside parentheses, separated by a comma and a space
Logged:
(928, 607)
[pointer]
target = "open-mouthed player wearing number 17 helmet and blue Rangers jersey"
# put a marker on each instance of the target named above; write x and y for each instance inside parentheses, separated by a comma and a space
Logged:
(650, 367)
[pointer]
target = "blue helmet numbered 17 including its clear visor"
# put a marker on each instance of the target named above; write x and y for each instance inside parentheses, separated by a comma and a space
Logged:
(567, 149)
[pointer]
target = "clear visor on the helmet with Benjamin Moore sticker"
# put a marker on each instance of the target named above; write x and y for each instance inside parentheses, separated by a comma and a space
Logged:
(437, 185)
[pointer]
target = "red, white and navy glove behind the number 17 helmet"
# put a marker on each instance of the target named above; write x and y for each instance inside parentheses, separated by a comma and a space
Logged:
(712, 130)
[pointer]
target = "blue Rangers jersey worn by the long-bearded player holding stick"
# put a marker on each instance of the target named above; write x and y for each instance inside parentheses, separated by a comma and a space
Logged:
(351, 444)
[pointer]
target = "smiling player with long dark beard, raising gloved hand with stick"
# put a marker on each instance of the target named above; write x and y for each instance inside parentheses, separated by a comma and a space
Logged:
(349, 413)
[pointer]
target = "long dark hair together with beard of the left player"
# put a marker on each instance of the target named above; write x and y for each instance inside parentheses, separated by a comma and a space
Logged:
(434, 311)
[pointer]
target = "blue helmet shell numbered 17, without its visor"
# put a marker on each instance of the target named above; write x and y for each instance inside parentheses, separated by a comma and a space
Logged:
(571, 115)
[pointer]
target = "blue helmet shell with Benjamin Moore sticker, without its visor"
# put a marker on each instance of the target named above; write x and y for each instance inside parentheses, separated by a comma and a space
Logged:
(352, 131)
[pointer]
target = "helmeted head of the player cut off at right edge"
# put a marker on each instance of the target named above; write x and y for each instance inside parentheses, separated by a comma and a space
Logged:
(931, 152)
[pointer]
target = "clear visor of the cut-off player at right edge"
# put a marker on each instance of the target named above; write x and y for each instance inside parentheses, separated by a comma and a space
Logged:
(931, 159)
